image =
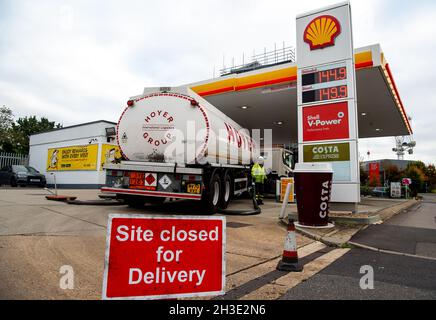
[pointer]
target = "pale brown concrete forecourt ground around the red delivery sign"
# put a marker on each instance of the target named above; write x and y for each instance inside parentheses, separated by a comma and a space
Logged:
(38, 237)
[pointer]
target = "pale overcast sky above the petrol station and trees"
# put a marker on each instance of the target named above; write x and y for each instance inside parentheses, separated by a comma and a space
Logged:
(78, 61)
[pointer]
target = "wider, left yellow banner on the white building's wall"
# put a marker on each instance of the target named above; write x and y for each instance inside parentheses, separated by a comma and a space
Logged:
(73, 158)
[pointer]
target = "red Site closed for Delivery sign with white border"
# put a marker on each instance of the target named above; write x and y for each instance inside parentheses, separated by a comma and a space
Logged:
(162, 257)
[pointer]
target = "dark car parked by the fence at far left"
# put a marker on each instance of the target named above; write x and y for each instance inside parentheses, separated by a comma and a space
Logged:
(19, 175)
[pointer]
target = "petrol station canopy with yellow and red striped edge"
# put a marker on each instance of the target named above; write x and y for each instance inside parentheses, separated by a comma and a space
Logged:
(266, 98)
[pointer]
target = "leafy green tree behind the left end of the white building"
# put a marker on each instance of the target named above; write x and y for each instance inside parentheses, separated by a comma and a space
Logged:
(25, 127)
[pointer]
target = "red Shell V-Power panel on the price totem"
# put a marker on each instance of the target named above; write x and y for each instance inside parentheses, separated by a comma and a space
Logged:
(326, 122)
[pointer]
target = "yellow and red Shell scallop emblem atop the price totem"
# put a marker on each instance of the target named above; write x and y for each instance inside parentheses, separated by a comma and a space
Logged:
(322, 32)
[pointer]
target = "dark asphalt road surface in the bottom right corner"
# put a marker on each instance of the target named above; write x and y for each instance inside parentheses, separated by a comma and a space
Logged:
(395, 277)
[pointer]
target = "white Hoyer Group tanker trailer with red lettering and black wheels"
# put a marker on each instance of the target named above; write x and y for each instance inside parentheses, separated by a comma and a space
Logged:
(174, 144)
